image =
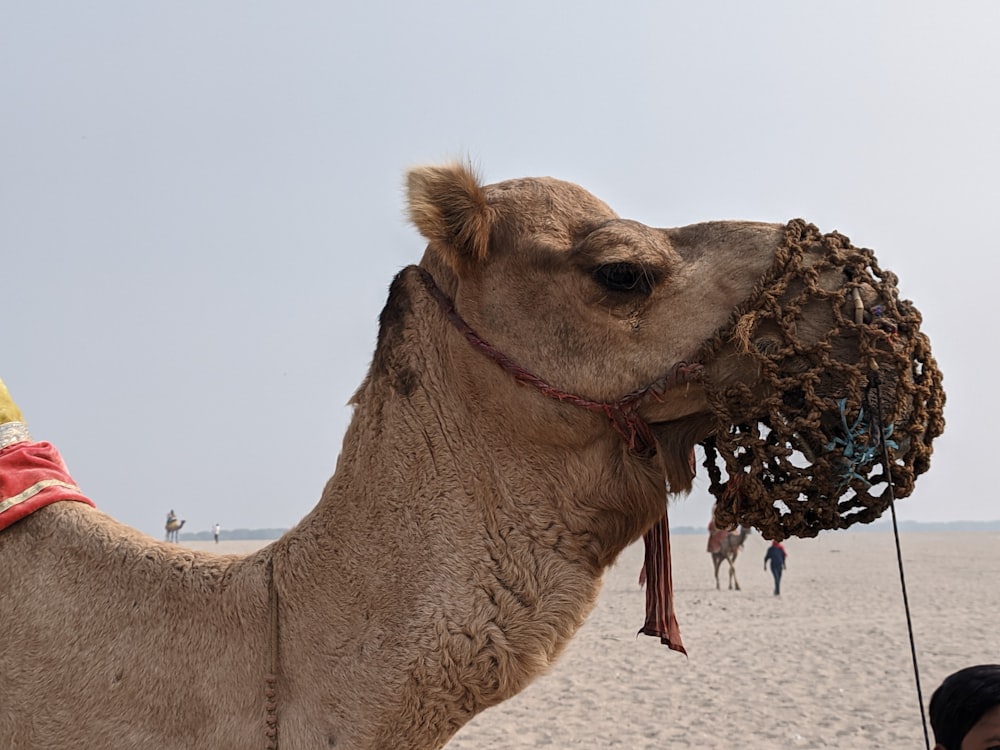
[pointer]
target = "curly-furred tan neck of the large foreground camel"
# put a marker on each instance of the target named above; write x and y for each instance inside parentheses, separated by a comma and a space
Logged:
(457, 552)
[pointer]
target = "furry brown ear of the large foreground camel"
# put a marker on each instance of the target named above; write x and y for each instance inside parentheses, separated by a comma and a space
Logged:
(447, 204)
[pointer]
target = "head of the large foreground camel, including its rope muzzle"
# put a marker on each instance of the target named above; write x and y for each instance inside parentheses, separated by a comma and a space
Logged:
(806, 364)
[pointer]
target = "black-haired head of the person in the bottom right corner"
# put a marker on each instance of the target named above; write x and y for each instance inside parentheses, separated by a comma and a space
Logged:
(965, 710)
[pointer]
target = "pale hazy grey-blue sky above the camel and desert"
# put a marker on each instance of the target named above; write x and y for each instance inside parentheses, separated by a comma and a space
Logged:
(201, 203)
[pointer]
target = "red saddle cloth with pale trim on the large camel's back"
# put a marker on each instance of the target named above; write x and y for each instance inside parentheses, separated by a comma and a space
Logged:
(33, 475)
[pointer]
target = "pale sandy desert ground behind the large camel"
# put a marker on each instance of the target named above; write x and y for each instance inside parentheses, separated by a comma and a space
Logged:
(825, 665)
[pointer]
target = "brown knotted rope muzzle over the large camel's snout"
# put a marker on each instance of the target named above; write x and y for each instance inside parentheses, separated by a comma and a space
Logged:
(803, 447)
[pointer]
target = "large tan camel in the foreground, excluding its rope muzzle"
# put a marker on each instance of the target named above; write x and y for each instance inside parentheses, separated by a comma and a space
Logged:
(522, 421)
